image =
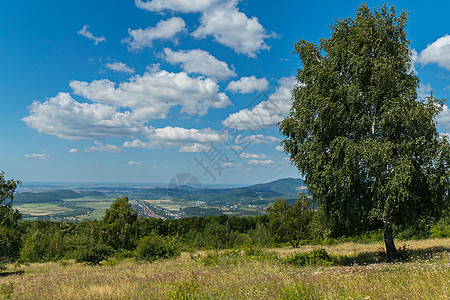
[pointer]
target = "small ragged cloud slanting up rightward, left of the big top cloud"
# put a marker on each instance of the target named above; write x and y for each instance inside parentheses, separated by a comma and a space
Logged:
(165, 29)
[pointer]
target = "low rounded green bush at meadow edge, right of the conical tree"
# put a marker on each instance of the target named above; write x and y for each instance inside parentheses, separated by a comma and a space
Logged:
(153, 247)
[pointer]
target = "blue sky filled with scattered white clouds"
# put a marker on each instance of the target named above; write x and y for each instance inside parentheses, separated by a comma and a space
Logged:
(140, 91)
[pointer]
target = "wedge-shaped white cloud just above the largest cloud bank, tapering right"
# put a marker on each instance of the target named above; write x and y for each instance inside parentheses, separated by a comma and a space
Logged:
(199, 62)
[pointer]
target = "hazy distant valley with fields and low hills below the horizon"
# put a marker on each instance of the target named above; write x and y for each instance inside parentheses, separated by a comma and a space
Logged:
(159, 202)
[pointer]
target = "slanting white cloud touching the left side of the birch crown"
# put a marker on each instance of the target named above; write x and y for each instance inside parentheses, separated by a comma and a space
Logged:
(267, 113)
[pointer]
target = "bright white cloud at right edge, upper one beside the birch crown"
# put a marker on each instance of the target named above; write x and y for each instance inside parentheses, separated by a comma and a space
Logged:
(437, 52)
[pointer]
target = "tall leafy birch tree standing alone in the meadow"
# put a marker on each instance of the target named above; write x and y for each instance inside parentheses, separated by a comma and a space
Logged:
(367, 145)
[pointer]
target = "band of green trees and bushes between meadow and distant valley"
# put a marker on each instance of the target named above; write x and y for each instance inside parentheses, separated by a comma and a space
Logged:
(121, 233)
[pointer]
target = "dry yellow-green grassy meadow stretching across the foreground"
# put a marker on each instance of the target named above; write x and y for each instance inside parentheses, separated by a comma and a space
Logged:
(426, 276)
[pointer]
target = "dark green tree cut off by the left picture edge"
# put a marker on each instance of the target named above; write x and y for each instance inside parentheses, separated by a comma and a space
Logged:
(9, 232)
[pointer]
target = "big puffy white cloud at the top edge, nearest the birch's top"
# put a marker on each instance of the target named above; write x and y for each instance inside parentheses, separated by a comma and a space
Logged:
(232, 28)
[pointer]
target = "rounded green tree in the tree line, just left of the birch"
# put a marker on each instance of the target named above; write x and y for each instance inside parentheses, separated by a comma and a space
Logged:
(290, 223)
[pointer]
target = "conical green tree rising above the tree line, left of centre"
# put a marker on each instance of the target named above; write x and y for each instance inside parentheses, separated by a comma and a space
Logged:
(119, 225)
